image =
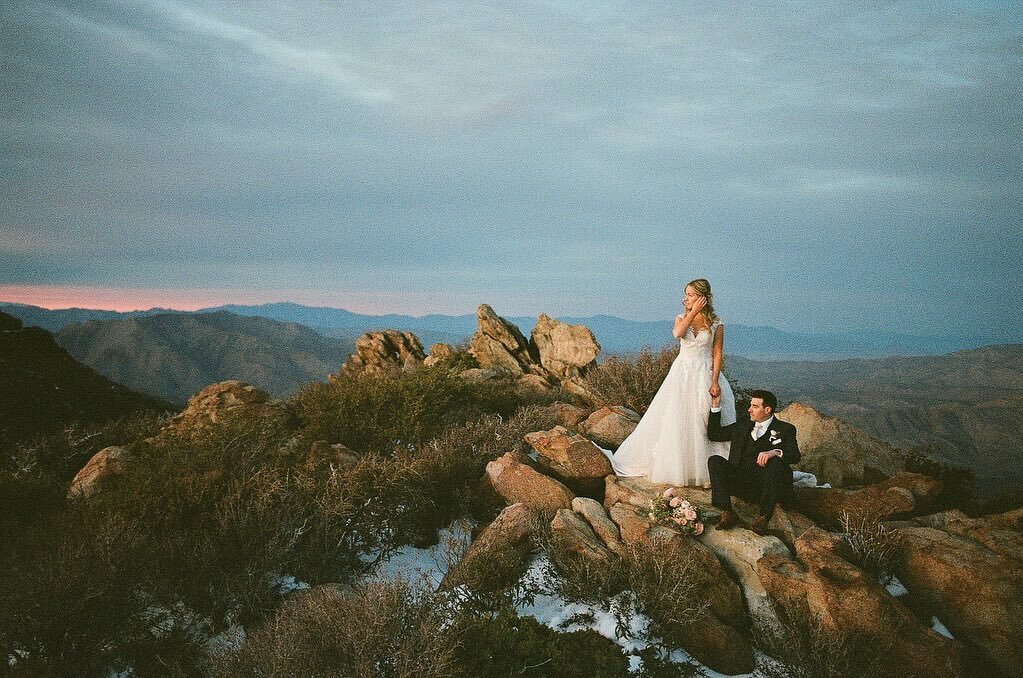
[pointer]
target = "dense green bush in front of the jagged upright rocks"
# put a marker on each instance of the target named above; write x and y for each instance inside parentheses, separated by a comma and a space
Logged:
(377, 414)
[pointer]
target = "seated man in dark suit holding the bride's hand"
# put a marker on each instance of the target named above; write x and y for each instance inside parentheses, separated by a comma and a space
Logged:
(759, 464)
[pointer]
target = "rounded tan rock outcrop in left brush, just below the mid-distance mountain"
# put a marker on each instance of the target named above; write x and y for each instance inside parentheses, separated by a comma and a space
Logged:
(225, 400)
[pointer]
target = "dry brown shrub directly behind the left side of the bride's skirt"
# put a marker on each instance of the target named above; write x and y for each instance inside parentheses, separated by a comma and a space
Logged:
(633, 380)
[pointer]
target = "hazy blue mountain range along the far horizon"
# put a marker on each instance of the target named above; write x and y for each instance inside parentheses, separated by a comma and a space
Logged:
(615, 335)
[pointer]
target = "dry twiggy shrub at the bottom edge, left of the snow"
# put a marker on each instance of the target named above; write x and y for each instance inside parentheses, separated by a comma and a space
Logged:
(391, 629)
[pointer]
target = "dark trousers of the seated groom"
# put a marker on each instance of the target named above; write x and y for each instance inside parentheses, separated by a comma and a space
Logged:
(766, 485)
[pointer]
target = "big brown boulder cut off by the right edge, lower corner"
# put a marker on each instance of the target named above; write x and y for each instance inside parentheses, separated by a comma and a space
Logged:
(970, 573)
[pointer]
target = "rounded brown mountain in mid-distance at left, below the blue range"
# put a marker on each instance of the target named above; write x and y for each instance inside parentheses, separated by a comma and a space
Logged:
(176, 355)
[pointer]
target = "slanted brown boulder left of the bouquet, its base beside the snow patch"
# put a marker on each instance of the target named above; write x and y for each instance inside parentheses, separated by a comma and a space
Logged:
(500, 556)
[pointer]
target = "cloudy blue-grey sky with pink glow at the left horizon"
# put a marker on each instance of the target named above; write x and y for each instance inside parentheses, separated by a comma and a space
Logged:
(827, 166)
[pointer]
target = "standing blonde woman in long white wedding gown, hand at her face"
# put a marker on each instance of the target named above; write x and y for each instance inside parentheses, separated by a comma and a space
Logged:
(671, 443)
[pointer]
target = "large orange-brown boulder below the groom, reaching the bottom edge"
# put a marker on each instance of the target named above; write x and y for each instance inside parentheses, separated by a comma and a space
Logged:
(824, 591)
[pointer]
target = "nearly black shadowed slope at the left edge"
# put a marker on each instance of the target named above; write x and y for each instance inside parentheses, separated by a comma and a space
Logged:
(42, 388)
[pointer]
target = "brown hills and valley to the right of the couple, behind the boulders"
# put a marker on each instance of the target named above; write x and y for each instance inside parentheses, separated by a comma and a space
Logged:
(963, 409)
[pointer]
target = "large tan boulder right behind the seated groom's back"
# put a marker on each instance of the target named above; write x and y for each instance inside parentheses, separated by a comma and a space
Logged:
(838, 454)
